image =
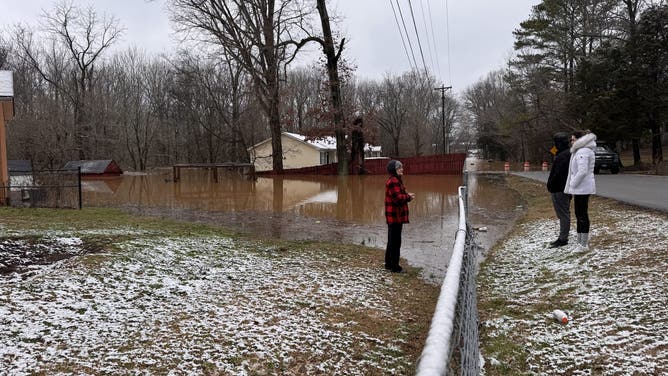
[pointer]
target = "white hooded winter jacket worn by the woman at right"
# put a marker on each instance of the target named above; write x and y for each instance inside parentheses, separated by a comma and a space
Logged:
(580, 179)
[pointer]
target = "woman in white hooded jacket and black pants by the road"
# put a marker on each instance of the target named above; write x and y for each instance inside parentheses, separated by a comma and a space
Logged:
(580, 182)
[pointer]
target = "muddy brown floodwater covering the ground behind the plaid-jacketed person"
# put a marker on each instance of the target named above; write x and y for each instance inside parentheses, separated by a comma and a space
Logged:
(330, 208)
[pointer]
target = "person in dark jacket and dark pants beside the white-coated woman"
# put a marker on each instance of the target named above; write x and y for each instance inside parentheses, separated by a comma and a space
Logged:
(556, 183)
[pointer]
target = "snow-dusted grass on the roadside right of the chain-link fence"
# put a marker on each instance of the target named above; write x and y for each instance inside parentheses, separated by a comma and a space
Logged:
(615, 293)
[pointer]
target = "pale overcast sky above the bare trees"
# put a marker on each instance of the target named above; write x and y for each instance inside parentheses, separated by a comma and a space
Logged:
(480, 32)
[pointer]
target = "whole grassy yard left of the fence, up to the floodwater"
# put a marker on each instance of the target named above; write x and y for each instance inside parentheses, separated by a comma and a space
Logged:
(110, 293)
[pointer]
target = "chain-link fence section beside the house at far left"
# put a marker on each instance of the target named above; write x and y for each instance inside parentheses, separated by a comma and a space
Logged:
(44, 189)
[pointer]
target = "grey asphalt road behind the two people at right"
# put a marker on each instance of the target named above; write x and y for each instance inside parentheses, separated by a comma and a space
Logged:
(648, 191)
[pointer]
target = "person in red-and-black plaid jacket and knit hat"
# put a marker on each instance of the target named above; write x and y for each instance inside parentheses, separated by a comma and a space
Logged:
(396, 214)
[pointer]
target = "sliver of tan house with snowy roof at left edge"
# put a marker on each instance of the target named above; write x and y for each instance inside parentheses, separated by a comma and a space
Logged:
(6, 114)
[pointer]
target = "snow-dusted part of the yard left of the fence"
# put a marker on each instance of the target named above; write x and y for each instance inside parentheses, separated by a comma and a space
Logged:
(176, 305)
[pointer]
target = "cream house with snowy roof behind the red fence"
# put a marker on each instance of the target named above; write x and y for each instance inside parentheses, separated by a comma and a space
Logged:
(298, 152)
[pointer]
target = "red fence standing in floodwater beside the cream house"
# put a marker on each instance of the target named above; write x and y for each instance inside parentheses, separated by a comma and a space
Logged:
(443, 164)
